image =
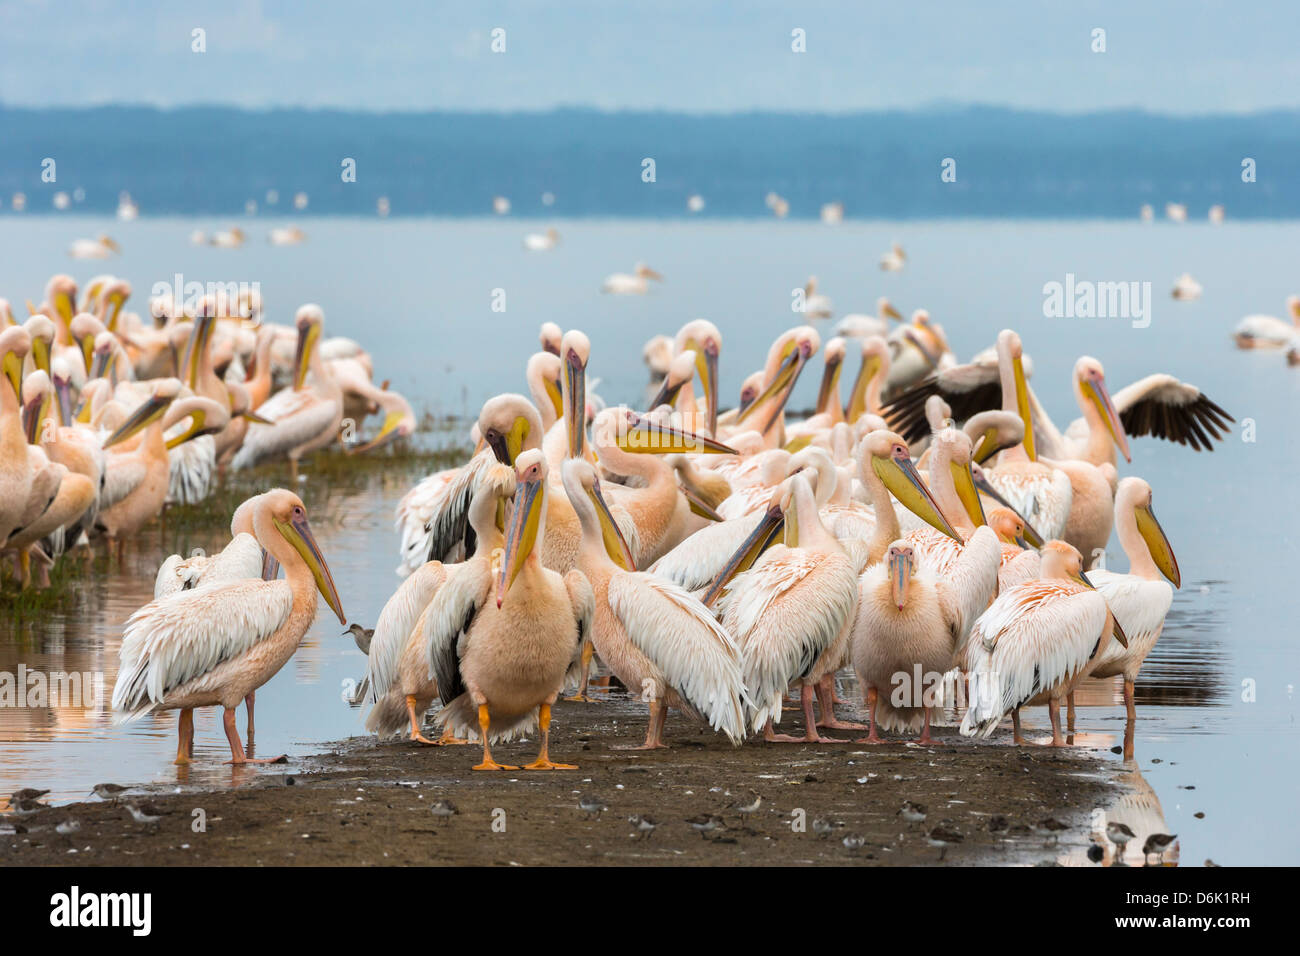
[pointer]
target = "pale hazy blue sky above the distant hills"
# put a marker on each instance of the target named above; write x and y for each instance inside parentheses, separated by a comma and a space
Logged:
(1176, 57)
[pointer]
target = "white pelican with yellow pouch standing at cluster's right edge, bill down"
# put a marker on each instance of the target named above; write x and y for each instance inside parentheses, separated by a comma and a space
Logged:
(1139, 600)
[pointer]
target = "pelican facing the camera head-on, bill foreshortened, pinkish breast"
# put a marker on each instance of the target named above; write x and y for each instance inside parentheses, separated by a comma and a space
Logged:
(909, 624)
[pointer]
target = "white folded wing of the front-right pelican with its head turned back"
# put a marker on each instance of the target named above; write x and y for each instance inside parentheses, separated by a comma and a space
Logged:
(1042, 634)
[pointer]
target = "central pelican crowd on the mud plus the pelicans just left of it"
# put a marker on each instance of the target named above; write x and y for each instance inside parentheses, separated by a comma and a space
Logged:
(714, 561)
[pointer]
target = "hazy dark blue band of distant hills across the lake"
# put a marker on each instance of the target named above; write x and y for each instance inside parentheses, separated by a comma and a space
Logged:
(1016, 165)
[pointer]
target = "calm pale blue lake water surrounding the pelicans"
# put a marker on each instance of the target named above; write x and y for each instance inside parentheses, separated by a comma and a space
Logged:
(1217, 716)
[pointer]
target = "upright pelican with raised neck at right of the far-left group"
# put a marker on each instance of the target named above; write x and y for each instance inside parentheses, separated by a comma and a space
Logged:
(305, 418)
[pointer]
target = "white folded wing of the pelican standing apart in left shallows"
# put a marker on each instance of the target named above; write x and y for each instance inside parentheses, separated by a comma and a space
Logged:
(177, 639)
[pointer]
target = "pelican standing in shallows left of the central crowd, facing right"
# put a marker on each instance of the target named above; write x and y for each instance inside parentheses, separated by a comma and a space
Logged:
(222, 643)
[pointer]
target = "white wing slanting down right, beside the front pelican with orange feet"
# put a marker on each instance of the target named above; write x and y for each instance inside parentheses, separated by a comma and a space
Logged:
(682, 639)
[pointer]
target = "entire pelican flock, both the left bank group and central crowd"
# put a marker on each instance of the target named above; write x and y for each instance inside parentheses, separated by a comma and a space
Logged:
(929, 531)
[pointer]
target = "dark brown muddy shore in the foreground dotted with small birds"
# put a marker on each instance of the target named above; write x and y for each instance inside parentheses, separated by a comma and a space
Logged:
(366, 803)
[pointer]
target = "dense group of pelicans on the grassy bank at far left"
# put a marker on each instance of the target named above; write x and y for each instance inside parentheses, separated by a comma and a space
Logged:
(107, 418)
